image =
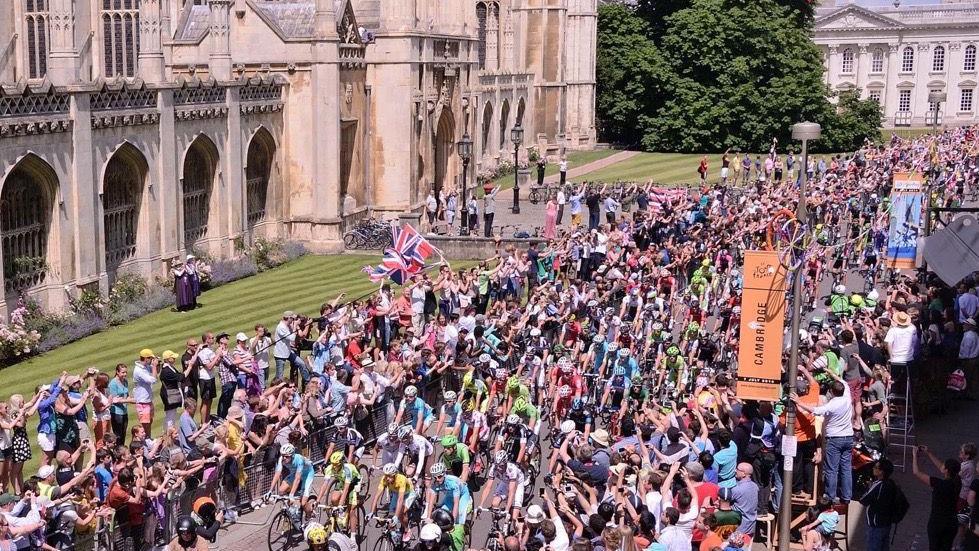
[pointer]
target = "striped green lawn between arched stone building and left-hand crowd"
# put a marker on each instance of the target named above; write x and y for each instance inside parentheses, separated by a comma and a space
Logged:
(302, 285)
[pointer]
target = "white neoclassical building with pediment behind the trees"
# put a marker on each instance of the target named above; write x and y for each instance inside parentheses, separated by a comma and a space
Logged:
(898, 53)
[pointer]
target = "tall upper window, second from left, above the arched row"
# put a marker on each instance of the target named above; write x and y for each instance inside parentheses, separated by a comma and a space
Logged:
(120, 37)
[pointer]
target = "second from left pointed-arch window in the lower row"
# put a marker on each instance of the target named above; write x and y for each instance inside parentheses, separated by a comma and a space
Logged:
(121, 194)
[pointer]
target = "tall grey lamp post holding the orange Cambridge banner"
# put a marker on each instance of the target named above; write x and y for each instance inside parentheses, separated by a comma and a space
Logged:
(803, 131)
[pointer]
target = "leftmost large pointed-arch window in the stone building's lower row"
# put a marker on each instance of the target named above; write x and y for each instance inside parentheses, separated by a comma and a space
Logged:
(25, 220)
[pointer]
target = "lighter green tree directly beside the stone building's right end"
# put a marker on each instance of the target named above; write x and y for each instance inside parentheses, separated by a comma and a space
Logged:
(629, 73)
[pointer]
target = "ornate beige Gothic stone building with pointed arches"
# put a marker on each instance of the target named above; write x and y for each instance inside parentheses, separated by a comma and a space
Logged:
(134, 131)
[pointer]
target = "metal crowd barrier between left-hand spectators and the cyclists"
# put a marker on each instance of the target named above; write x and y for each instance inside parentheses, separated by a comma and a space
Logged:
(241, 492)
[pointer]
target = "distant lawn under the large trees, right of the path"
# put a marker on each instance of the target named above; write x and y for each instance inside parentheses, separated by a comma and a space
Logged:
(661, 168)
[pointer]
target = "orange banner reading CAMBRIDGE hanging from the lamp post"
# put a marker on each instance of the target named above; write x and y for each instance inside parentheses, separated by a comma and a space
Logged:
(762, 322)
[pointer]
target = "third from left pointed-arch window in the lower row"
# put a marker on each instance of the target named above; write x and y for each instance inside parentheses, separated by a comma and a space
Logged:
(200, 165)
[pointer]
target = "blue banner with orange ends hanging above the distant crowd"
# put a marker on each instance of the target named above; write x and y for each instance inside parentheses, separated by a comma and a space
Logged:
(905, 220)
